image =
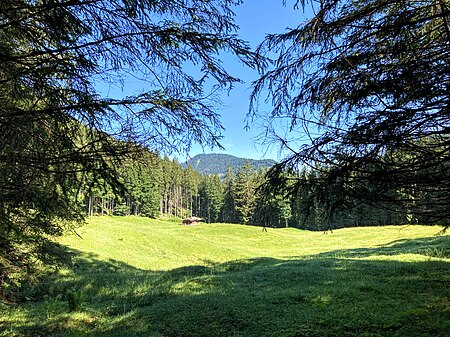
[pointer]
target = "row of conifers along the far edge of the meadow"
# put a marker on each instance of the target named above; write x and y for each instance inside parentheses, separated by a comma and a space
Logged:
(160, 187)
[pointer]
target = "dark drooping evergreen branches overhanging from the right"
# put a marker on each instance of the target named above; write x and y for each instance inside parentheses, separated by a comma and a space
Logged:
(364, 87)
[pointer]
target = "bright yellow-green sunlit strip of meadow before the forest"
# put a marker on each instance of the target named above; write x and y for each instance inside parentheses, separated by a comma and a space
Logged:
(158, 245)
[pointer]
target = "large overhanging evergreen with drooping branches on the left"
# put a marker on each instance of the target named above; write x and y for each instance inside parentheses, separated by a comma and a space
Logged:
(55, 126)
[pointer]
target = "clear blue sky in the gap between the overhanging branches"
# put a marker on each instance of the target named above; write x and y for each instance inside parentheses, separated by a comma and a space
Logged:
(256, 18)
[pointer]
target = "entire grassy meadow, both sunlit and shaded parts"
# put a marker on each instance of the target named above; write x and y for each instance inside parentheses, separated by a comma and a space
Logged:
(140, 277)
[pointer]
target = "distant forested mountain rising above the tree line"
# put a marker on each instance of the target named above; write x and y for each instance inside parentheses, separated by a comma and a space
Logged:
(216, 163)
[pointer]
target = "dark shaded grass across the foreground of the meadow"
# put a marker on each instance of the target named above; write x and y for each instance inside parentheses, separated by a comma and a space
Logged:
(329, 294)
